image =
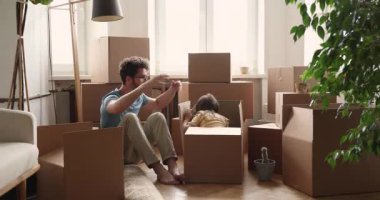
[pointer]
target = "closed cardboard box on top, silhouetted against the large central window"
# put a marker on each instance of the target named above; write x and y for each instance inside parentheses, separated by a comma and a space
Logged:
(209, 68)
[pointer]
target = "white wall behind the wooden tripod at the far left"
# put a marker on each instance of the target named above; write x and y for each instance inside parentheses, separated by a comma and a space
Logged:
(36, 56)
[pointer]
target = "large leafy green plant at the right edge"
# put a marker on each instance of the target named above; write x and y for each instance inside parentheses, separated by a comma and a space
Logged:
(347, 64)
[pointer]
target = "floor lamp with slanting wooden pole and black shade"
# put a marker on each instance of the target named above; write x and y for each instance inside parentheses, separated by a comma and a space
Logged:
(102, 11)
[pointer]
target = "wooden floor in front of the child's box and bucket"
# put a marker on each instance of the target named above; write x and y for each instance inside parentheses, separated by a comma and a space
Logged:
(250, 189)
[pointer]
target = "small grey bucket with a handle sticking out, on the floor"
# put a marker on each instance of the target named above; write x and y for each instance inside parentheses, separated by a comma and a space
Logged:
(264, 166)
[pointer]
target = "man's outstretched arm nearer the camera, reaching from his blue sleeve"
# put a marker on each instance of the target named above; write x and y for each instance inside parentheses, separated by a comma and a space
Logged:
(119, 105)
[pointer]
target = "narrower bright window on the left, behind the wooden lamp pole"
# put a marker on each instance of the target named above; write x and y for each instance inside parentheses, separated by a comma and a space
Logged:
(60, 37)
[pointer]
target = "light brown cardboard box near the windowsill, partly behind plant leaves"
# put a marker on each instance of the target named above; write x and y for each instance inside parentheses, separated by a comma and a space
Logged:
(282, 79)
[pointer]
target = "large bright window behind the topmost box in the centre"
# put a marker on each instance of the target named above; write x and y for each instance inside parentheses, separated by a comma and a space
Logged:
(184, 27)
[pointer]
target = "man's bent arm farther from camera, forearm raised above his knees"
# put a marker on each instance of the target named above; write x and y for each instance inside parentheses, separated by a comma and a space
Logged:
(165, 98)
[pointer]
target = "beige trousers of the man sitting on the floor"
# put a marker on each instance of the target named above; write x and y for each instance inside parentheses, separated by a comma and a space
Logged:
(139, 139)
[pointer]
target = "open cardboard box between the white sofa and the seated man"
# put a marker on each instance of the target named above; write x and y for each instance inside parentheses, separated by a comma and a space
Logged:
(80, 163)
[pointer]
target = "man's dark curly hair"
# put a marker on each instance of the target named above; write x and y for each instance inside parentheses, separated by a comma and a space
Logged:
(129, 66)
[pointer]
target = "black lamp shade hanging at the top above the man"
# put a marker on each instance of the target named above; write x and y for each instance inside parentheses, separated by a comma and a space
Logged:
(106, 10)
